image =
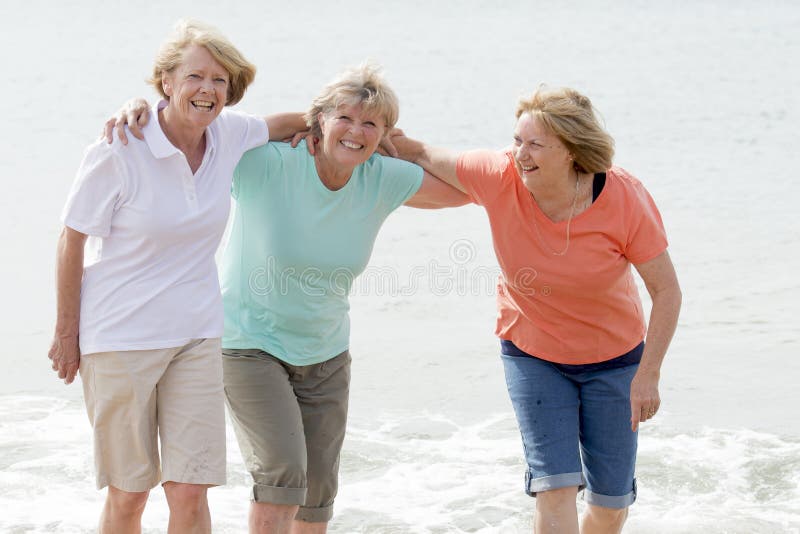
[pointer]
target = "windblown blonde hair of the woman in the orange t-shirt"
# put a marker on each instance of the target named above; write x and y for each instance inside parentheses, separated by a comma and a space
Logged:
(572, 118)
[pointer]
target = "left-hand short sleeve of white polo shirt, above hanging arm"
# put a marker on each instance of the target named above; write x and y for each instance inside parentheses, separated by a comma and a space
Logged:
(96, 192)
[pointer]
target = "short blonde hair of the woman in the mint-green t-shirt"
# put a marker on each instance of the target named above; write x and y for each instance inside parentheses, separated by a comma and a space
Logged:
(358, 85)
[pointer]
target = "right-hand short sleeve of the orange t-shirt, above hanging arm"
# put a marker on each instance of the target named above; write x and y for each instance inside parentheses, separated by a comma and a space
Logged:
(647, 237)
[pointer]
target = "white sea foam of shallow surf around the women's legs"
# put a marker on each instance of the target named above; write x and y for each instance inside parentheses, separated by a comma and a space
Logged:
(420, 473)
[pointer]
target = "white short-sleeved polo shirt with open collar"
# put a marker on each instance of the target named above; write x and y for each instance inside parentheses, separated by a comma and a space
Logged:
(150, 280)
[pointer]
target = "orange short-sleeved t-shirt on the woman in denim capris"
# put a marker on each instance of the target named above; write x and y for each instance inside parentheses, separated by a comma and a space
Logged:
(582, 307)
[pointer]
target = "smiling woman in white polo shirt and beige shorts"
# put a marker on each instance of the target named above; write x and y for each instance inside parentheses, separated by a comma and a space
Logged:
(141, 316)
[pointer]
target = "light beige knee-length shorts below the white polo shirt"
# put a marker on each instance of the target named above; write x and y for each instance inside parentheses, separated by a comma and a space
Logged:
(134, 398)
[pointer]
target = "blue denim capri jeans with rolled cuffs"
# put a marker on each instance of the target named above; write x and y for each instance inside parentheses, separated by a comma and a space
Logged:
(576, 429)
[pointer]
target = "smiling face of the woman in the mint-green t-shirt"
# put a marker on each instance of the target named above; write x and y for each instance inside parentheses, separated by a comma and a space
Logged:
(350, 135)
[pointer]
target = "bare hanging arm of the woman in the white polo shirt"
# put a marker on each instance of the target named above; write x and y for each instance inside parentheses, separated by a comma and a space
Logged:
(65, 351)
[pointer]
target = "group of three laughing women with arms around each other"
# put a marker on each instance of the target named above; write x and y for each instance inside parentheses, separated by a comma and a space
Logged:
(142, 317)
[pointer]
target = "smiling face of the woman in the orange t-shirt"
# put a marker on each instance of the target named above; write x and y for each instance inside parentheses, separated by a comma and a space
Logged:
(538, 152)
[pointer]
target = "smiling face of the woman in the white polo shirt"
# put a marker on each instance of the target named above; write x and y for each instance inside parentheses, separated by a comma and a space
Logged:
(197, 88)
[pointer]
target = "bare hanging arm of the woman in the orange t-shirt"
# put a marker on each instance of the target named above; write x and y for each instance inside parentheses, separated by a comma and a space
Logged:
(661, 281)
